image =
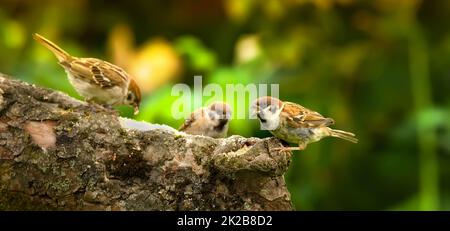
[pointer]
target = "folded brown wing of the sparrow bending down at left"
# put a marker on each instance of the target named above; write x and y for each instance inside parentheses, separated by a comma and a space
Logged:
(102, 73)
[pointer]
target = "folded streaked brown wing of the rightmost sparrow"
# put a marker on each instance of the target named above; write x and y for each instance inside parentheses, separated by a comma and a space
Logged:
(301, 117)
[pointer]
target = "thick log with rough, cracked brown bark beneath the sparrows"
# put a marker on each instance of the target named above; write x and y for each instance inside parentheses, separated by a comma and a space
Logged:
(58, 153)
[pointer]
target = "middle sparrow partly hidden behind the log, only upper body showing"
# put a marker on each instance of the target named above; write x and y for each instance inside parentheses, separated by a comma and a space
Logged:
(209, 121)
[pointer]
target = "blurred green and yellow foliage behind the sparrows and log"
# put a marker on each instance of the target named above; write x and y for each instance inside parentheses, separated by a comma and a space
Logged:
(380, 68)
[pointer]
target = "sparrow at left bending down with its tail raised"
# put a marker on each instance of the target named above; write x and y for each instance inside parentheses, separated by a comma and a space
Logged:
(96, 80)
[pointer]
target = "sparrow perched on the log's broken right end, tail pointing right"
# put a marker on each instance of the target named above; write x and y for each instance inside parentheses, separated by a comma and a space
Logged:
(294, 123)
